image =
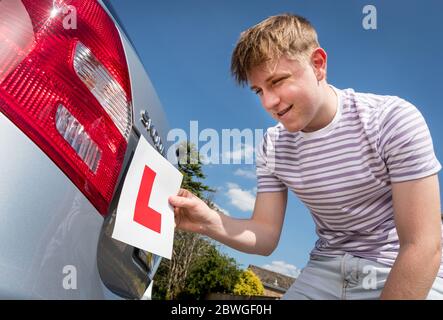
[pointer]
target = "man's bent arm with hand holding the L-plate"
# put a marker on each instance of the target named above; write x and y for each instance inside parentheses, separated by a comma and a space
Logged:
(258, 235)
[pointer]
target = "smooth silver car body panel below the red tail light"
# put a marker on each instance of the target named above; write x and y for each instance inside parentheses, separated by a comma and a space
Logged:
(46, 225)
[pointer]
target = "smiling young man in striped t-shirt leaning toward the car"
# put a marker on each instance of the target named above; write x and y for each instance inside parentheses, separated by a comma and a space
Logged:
(363, 164)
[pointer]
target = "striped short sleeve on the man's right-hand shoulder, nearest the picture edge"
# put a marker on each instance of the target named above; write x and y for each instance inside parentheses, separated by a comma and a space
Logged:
(405, 142)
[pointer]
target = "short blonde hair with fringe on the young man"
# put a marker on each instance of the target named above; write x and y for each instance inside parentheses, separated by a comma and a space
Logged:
(285, 34)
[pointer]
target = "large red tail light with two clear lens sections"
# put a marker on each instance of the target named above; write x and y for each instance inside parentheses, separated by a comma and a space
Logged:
(68, 89)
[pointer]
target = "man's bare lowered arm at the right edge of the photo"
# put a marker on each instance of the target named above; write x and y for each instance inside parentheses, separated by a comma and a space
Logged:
(418, 221)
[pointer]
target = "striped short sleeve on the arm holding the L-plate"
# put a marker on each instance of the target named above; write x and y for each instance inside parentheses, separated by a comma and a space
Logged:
(267, 181)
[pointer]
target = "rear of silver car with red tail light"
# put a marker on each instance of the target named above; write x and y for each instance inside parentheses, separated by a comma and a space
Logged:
(74, 100)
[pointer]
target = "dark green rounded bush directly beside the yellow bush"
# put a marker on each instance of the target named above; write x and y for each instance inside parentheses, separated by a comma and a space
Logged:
(214, 272)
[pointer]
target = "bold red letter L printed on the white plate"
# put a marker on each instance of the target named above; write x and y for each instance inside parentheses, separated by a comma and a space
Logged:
(143, 214)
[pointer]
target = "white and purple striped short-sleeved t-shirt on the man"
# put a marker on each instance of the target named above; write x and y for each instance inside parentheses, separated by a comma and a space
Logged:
(343, 172)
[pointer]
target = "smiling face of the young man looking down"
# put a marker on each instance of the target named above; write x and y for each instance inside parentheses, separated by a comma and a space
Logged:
(289, 91)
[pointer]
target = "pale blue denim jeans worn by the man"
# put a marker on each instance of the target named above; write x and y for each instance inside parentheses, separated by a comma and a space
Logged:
(345, 277)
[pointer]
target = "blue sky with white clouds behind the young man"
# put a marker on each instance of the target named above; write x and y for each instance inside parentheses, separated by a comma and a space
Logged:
(186, 48)
